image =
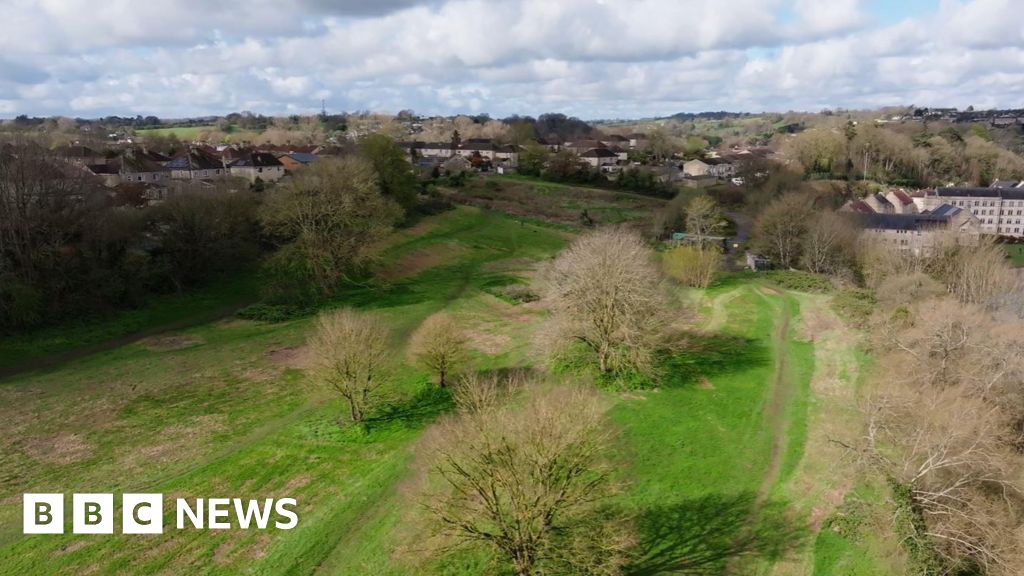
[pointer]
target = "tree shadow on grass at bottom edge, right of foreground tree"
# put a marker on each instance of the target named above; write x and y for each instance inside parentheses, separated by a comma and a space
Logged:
(703, 537)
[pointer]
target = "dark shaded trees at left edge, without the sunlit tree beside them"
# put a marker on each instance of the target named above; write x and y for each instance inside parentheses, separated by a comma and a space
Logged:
(69, 249)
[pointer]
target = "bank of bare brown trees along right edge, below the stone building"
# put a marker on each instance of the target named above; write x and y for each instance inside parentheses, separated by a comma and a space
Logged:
(946, 413)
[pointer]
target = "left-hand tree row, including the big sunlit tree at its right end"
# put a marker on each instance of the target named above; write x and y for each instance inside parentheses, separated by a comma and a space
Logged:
(71, 249)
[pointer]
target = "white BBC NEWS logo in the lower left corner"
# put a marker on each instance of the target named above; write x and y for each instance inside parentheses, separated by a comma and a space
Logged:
(144, 514)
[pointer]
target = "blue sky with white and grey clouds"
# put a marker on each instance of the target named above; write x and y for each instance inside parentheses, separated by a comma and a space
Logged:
(593, 59)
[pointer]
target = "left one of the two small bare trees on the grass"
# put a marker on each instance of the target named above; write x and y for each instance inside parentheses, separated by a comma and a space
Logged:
(352, 356)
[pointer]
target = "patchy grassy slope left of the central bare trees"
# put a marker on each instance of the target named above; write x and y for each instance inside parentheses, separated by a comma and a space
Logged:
(223, 418)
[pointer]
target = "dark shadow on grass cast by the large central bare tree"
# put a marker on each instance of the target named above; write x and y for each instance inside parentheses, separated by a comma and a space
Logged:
(705, 356)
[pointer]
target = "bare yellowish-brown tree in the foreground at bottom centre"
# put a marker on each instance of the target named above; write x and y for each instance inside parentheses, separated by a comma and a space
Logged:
(528, 482)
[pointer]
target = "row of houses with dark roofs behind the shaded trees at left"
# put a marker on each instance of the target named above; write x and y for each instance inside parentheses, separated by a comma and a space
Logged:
(196, 162)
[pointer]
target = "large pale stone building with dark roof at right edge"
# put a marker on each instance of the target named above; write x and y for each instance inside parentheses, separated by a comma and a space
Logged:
(1000, 210)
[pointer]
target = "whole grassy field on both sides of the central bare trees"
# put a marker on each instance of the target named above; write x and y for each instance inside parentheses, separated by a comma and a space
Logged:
(726, 466)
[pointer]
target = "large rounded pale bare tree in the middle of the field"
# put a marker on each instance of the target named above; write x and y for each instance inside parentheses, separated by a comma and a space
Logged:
(606, 294)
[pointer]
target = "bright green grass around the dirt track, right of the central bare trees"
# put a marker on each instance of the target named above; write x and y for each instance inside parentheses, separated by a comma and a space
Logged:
(700, 449)
